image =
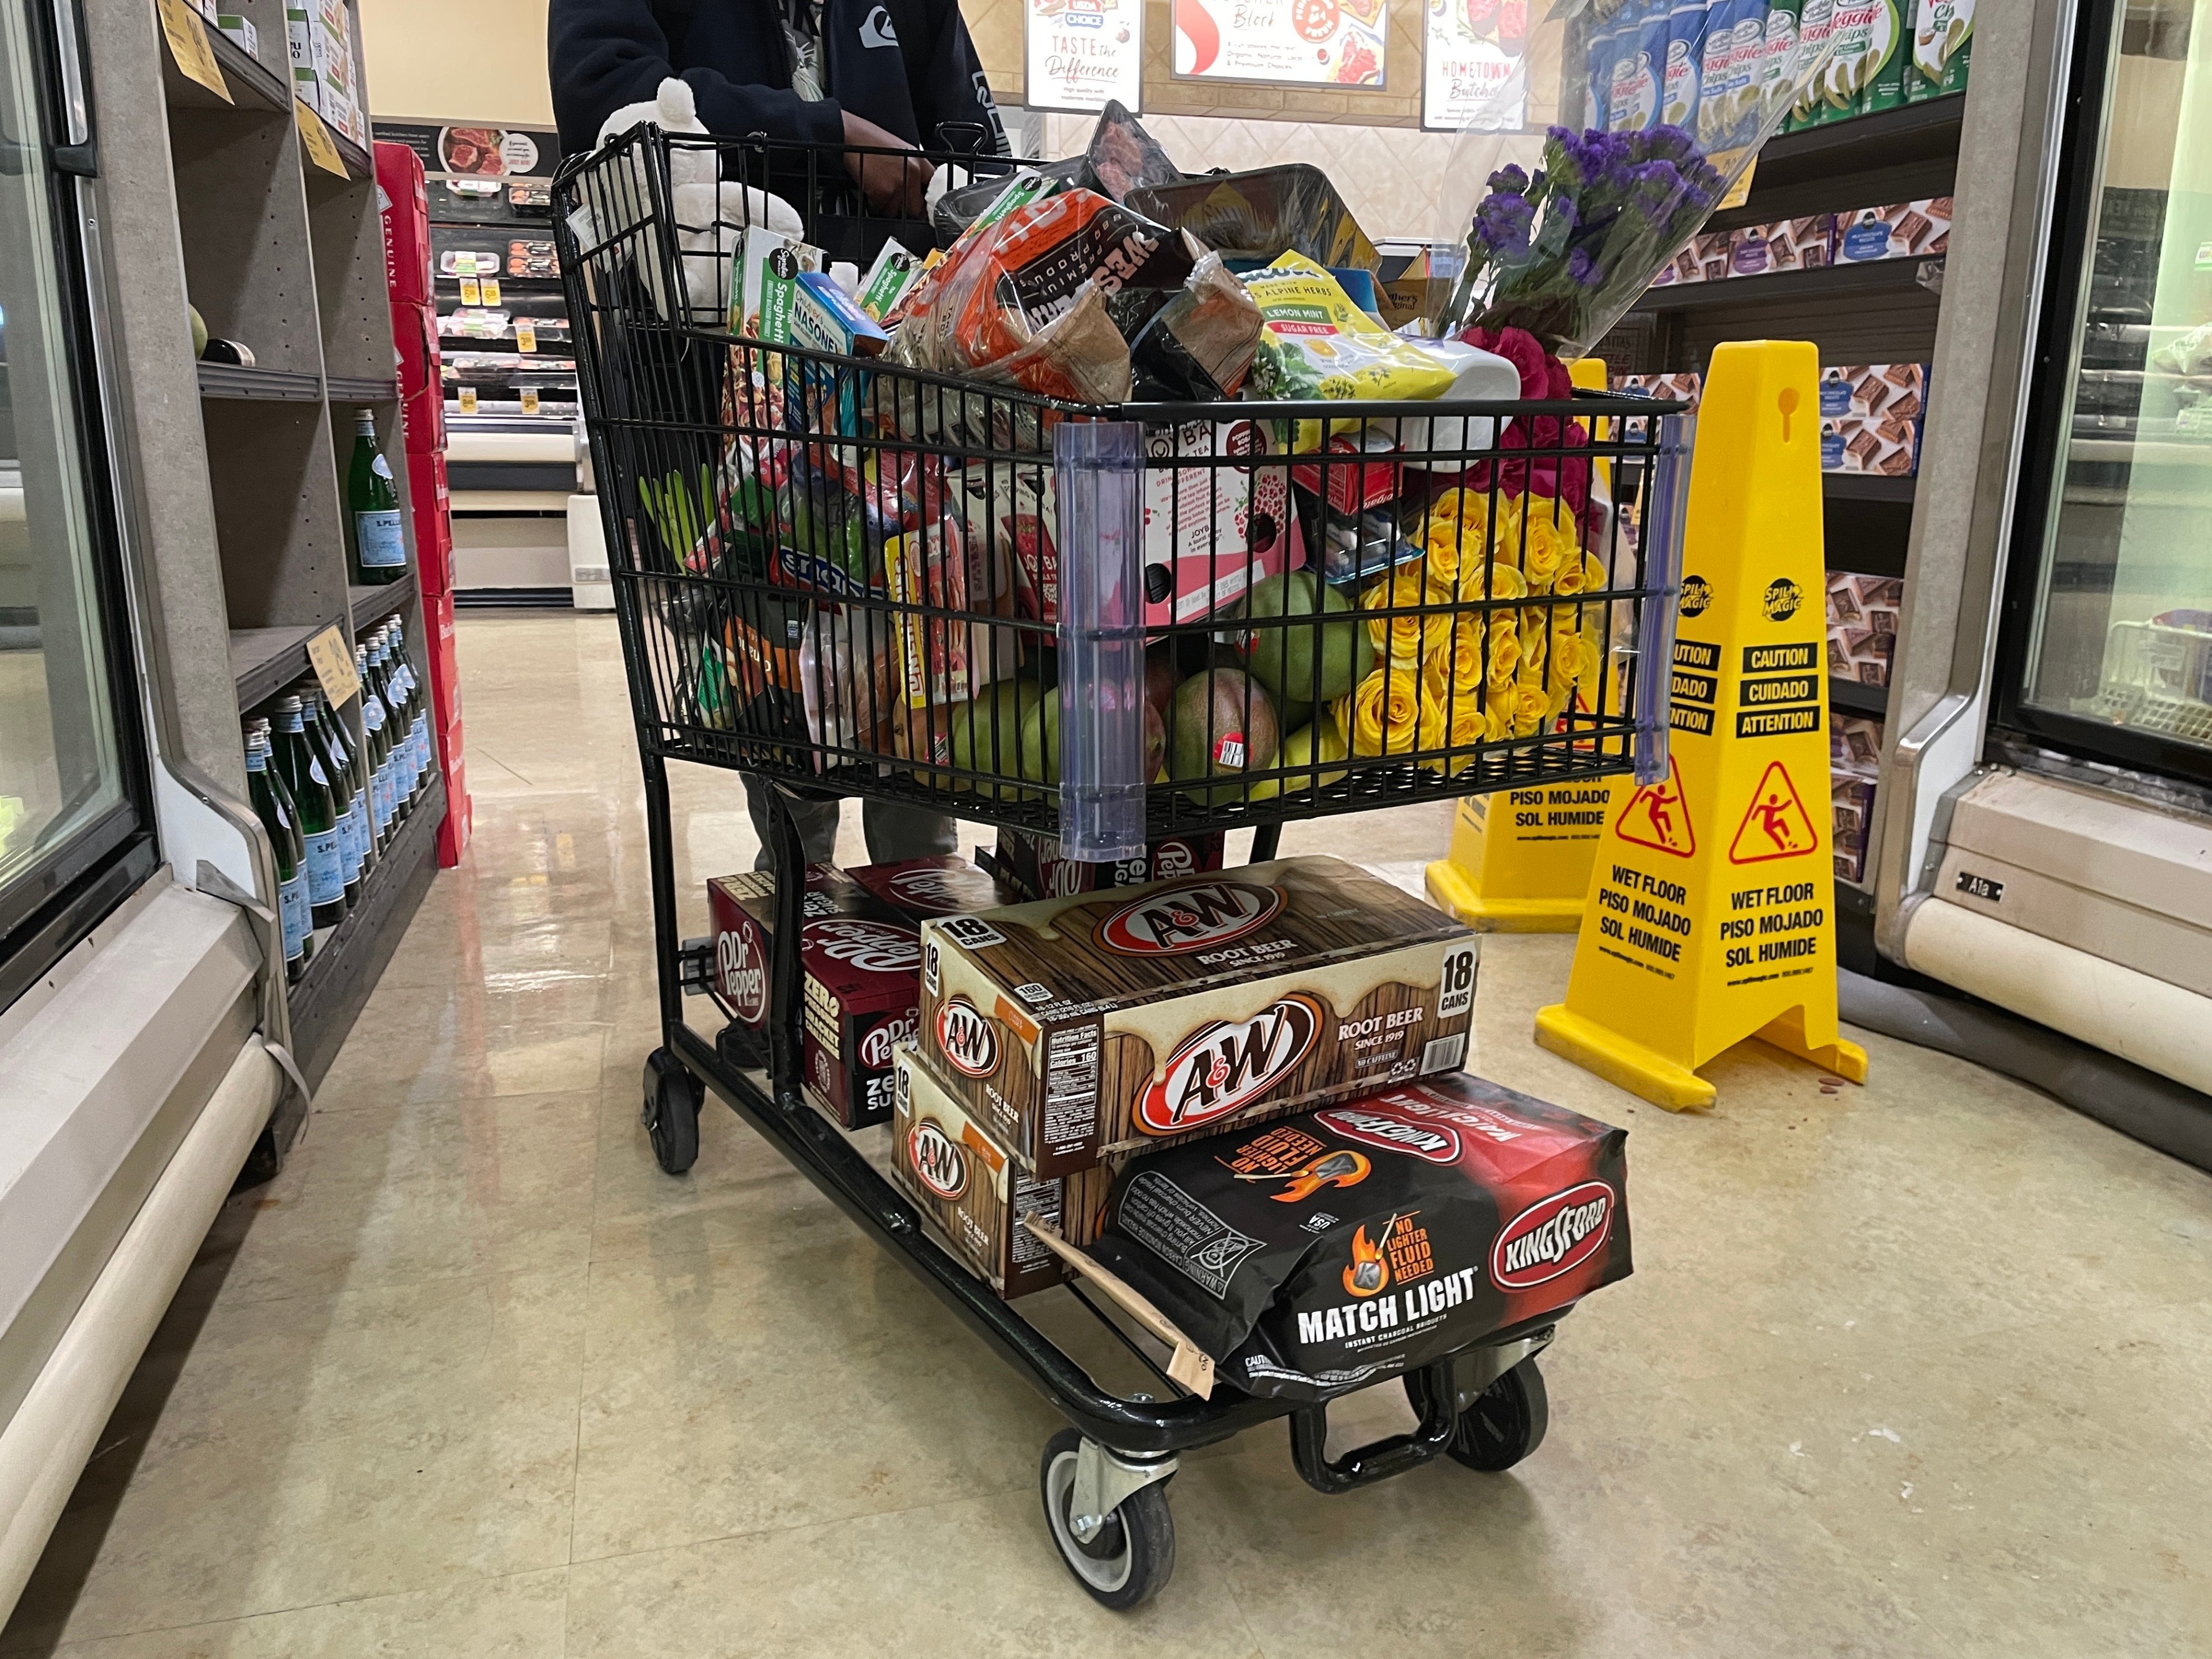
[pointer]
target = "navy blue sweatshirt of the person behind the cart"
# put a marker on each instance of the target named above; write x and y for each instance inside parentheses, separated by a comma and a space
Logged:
(904, 65)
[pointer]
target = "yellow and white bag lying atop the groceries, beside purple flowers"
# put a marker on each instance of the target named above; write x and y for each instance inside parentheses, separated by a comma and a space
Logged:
(1317, 344)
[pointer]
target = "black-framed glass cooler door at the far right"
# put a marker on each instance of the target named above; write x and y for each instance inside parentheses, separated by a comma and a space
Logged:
(2107, 649)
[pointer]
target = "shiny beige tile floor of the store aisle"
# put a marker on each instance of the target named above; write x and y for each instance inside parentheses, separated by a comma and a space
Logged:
(1919, 1368)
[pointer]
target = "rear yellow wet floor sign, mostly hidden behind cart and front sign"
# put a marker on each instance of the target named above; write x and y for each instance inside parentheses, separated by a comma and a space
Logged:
(1521, 862)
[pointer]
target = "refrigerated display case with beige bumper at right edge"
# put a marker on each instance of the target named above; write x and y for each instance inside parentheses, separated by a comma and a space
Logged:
(2047, 802)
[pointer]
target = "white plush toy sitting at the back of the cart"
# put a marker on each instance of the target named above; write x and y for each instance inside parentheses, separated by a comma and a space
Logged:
(711, 213)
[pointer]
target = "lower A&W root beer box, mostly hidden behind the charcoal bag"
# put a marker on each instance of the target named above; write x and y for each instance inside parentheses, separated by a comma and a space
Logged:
(977, 1193)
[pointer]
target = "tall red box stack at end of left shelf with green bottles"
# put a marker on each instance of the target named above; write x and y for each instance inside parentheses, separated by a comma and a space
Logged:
(415, 335)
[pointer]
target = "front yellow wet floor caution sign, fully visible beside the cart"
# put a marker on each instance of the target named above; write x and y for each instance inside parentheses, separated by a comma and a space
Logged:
(1713, 901)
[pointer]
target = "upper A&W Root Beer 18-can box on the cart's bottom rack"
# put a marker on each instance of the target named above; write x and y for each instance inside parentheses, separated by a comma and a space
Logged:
(1100, 1023)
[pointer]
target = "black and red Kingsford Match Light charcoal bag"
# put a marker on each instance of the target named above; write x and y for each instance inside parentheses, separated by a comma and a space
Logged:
(1319, 1253)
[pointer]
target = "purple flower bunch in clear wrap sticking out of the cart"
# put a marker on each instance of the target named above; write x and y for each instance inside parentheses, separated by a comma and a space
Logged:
(1567, 249)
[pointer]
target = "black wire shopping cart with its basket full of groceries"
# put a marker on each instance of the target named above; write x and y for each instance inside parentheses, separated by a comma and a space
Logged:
(941, 570)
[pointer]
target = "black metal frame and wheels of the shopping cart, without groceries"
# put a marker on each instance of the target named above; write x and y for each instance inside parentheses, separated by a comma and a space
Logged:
(1129, 1443)
